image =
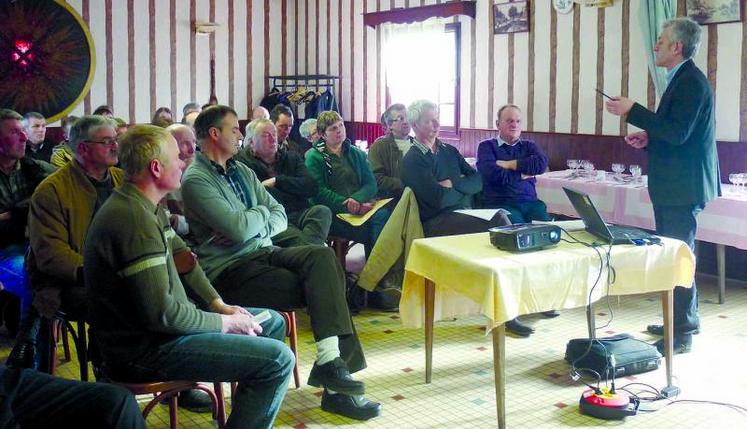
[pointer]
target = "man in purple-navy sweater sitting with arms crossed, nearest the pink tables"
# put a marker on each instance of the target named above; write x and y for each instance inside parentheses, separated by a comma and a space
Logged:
(508, 165)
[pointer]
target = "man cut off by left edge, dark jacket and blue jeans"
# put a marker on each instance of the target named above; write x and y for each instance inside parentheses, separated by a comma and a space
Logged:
(19, 177)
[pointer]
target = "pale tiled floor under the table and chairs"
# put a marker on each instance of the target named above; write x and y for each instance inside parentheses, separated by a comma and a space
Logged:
(539, 393)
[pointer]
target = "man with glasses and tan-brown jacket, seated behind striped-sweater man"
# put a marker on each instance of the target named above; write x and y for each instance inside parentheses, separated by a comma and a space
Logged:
(61, 211)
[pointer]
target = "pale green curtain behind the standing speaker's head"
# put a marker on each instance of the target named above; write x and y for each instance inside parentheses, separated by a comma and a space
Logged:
(651, 15)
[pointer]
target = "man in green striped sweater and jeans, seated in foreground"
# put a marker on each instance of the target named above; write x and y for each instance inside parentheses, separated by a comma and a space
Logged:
(144, 326)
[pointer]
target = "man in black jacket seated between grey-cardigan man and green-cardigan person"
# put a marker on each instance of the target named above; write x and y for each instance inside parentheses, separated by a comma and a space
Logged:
(283, 174)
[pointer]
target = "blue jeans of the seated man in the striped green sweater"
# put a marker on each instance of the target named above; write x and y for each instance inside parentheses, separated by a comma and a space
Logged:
(262, 365)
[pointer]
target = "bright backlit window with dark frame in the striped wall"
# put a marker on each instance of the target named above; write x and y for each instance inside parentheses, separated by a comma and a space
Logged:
(421, 61)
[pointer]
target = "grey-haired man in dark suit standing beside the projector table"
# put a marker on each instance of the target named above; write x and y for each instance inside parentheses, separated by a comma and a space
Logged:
(683, 164)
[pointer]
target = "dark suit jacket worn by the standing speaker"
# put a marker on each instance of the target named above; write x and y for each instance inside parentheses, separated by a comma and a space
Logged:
(682, 158)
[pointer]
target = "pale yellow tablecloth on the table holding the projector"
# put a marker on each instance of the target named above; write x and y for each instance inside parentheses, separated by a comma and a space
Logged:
(473, 277)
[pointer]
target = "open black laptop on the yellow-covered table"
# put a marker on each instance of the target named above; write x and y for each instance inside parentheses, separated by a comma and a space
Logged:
(611, 234)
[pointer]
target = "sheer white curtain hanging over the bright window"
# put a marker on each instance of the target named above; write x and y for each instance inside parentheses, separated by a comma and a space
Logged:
(409, 53)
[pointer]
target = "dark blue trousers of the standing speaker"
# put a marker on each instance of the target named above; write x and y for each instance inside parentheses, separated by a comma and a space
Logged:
(680, 222)
